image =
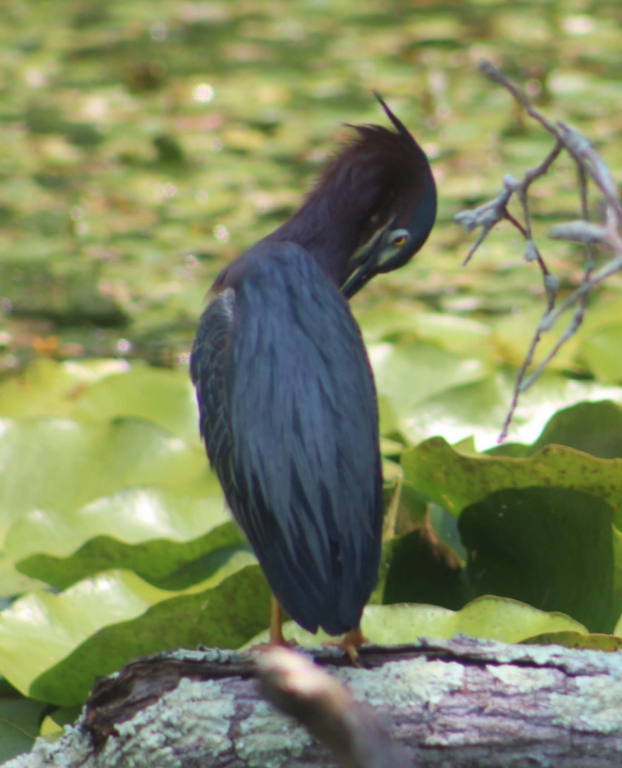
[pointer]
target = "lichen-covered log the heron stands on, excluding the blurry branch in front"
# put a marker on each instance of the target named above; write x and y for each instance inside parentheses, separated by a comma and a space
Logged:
(453, 703)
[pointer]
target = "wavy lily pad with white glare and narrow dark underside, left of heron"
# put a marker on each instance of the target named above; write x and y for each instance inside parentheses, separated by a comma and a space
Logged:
(152, 531)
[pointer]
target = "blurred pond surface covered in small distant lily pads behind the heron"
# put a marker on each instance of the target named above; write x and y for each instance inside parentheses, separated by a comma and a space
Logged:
(147, 144)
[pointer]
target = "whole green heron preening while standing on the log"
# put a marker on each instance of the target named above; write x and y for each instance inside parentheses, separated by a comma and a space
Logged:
(286, 395)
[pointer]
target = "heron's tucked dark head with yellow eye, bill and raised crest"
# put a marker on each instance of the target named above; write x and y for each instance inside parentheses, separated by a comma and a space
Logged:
(402, 224)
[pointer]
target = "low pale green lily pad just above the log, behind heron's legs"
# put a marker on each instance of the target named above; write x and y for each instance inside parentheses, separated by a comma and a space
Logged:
(490, 618)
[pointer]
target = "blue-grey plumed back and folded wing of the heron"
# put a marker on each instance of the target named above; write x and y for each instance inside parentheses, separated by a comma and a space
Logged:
(304, 479)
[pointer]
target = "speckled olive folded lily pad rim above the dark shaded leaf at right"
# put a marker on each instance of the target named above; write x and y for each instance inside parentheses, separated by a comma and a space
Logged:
(455, 480)
